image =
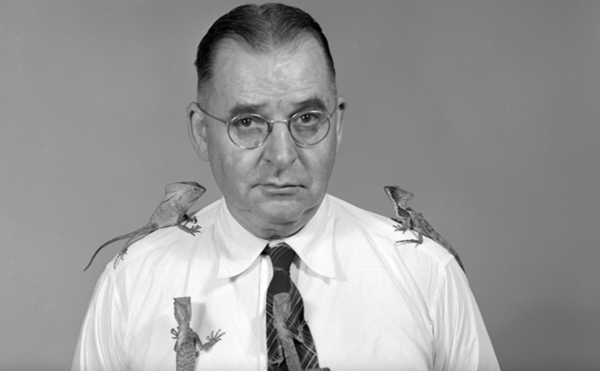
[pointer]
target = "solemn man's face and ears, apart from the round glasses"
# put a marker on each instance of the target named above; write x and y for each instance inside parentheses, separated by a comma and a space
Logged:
(272, 190)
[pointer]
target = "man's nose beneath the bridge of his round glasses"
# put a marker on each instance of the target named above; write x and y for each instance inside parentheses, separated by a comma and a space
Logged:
(280, 148)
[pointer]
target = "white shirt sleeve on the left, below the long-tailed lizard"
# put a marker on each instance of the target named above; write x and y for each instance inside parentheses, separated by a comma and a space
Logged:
(100, 345)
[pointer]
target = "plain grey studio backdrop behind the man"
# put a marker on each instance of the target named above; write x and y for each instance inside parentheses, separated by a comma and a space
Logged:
(489, 112)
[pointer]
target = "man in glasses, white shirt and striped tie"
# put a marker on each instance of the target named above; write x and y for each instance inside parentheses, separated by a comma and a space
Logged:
(269, 121)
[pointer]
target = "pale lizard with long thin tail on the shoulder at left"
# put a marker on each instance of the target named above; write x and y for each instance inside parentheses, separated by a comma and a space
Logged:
(172, 211)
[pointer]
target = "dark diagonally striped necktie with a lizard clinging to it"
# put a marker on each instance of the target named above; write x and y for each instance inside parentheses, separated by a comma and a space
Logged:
(289, 341)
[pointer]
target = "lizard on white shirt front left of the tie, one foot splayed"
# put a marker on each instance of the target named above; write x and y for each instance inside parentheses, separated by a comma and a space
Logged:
(188, 344)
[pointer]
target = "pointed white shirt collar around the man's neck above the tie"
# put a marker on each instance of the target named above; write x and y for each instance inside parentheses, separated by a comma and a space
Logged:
(238, 248)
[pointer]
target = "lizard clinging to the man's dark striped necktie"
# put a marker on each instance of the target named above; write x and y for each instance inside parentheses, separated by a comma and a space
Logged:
(281, 312)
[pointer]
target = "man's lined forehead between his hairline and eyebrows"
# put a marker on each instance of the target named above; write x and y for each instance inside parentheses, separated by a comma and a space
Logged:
(273, 79)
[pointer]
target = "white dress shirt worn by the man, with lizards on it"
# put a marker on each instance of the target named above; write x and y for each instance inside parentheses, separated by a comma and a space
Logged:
(371, 304)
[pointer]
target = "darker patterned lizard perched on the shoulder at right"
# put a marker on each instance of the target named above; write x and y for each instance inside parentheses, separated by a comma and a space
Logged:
(410, 219)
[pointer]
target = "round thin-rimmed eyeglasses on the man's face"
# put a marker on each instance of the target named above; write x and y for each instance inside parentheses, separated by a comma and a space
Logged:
(251, 130)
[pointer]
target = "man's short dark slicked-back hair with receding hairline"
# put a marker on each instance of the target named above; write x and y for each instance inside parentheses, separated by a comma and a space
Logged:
(259, 29)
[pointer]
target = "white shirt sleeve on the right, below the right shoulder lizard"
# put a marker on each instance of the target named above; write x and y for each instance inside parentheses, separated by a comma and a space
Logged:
(461, 341)
